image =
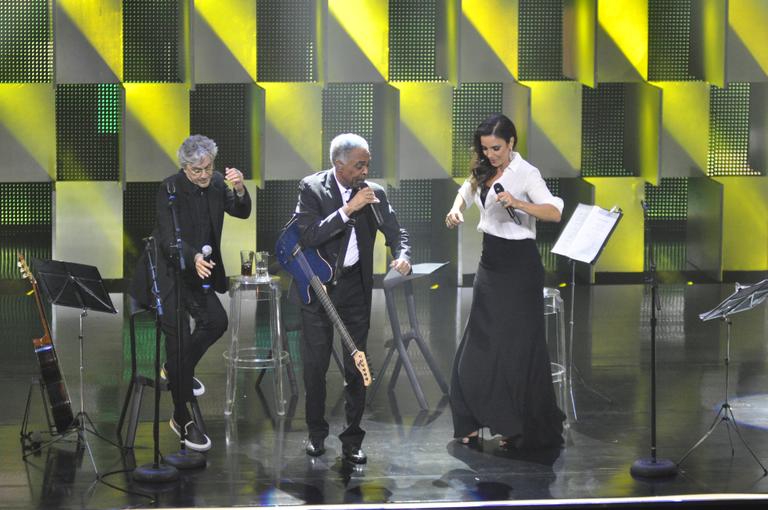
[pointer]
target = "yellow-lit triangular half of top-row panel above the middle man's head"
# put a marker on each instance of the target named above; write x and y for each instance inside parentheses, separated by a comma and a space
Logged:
(367, 23)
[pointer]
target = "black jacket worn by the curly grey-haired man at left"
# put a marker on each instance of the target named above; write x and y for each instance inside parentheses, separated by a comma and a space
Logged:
(221, 199)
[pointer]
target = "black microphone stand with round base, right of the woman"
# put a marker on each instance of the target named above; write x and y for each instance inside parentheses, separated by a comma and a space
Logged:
(652, 467)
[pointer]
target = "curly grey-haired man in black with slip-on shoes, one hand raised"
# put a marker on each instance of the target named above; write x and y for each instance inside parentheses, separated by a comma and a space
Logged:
(200, 197)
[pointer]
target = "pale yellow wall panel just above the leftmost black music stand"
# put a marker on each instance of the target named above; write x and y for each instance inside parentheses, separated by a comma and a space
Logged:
(89, 225)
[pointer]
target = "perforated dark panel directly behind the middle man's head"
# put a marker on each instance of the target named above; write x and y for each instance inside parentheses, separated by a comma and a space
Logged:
(348, 108)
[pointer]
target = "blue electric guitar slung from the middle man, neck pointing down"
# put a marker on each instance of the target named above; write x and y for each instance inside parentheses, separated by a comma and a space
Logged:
(309, 269)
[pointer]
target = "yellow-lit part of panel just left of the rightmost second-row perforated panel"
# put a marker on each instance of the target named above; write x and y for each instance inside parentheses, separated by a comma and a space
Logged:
(685, 117)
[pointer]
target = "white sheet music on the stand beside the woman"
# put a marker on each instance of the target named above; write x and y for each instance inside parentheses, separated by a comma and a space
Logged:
(587, 232)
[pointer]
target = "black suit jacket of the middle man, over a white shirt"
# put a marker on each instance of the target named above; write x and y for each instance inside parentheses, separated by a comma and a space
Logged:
(319, 199)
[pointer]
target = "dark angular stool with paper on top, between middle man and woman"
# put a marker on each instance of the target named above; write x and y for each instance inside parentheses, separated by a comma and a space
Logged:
(400, 339)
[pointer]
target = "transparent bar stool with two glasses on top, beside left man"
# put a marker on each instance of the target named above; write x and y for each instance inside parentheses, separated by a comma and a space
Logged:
(247, 299)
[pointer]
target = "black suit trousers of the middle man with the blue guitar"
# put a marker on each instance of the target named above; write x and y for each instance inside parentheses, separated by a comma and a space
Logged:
(350, 301)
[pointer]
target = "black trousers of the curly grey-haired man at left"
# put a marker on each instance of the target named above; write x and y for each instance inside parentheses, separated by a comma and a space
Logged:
(210, 324)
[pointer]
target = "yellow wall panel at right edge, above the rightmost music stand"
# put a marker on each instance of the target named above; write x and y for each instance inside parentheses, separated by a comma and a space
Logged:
(745, 223)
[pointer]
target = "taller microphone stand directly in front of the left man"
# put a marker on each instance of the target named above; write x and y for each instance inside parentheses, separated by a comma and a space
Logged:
(183, 459)
